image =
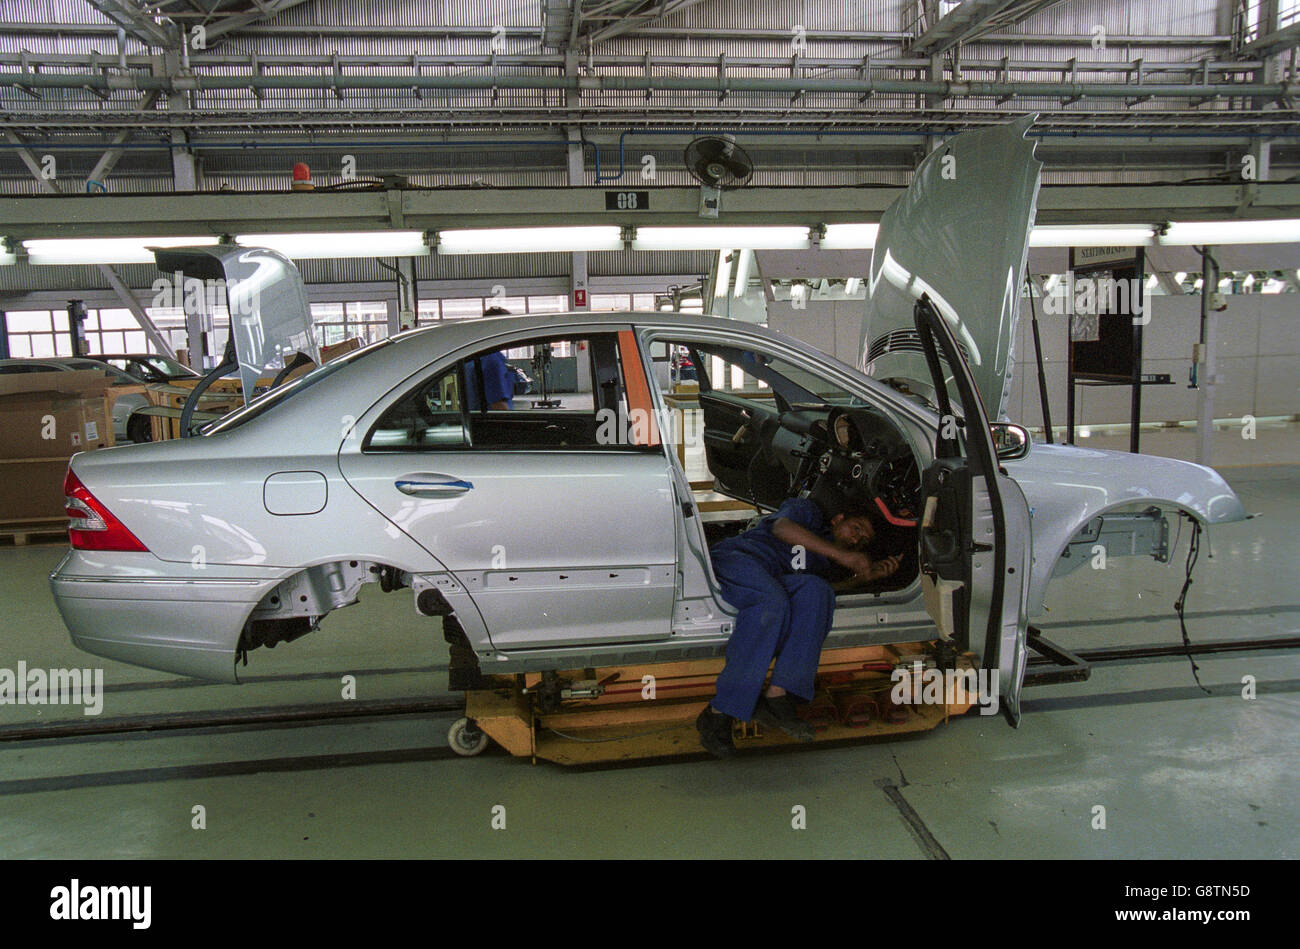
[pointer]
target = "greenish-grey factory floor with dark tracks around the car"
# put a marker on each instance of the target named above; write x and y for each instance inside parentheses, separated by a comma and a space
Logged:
(1180, 774)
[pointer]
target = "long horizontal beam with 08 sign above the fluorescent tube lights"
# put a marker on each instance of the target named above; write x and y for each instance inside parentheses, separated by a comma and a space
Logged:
(244, 213)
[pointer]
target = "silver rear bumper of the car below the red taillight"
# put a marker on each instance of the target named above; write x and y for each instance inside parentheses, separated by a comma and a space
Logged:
(145, 612)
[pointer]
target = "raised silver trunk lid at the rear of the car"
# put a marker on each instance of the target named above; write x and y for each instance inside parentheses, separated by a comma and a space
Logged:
(270, 317)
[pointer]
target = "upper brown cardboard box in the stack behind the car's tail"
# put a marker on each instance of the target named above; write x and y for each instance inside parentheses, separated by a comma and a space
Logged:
(54, 415)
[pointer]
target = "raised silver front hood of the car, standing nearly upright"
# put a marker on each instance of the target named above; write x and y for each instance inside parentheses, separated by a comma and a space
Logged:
(960, 233)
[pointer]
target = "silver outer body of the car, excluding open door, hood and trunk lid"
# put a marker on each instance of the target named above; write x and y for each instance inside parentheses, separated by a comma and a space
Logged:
(287, 515)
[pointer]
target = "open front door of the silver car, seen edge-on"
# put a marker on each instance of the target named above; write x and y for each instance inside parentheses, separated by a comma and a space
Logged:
(976, 526)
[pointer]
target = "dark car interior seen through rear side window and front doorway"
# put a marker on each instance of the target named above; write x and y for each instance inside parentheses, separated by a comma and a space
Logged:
(772, 431)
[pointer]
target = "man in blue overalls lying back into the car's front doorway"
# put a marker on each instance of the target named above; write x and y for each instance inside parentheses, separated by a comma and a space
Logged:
(775, 577)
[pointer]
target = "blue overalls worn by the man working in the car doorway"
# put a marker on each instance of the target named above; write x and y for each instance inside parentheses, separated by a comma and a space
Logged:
(785, 613)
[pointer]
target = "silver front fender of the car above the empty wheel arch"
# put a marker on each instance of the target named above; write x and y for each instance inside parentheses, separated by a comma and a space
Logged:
(1068, 487)
